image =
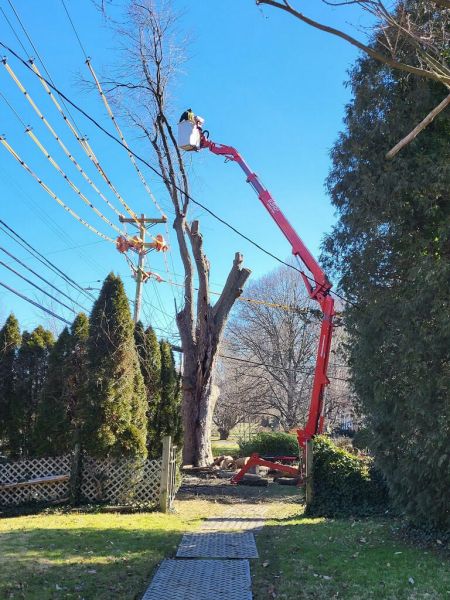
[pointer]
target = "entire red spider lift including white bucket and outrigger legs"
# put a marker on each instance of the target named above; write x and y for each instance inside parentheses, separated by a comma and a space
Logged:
(191, 137)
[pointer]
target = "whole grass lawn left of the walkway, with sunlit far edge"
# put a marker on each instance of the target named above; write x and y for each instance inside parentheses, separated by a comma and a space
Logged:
(90, 556)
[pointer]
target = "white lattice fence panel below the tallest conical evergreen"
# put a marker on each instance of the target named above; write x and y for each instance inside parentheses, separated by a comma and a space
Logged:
(121, 481)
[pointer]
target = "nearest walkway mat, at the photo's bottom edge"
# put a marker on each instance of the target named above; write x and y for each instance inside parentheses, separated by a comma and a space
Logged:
(201, 580)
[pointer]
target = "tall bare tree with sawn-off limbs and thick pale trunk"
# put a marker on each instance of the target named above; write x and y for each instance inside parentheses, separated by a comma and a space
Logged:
(152, 60)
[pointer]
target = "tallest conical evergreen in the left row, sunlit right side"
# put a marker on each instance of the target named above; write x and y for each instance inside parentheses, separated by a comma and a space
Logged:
(115, 404)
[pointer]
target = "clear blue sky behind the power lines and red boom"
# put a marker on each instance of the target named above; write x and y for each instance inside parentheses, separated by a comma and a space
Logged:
(265, 83)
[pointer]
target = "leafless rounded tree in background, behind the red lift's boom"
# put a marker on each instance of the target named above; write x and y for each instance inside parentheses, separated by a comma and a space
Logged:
(277, 340)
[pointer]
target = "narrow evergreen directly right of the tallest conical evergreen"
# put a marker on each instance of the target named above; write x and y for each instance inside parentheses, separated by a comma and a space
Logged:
(150, 360)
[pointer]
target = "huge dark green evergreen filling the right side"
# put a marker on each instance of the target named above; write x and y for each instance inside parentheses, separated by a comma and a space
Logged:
(391, 249)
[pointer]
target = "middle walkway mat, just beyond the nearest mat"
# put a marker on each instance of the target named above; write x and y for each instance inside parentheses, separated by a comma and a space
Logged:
(217, 545)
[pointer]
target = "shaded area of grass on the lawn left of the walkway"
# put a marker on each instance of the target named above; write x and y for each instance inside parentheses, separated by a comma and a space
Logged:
(89, 563)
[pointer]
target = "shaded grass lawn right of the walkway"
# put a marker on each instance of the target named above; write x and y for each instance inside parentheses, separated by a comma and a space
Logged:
(322, 559)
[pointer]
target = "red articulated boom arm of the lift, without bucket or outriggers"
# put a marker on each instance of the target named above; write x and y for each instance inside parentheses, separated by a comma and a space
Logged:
(317, 285)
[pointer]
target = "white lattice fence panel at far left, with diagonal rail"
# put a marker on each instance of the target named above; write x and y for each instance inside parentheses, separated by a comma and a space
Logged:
(16, 480)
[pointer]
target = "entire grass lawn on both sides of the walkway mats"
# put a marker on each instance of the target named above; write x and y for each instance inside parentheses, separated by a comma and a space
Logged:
(96, 556)
